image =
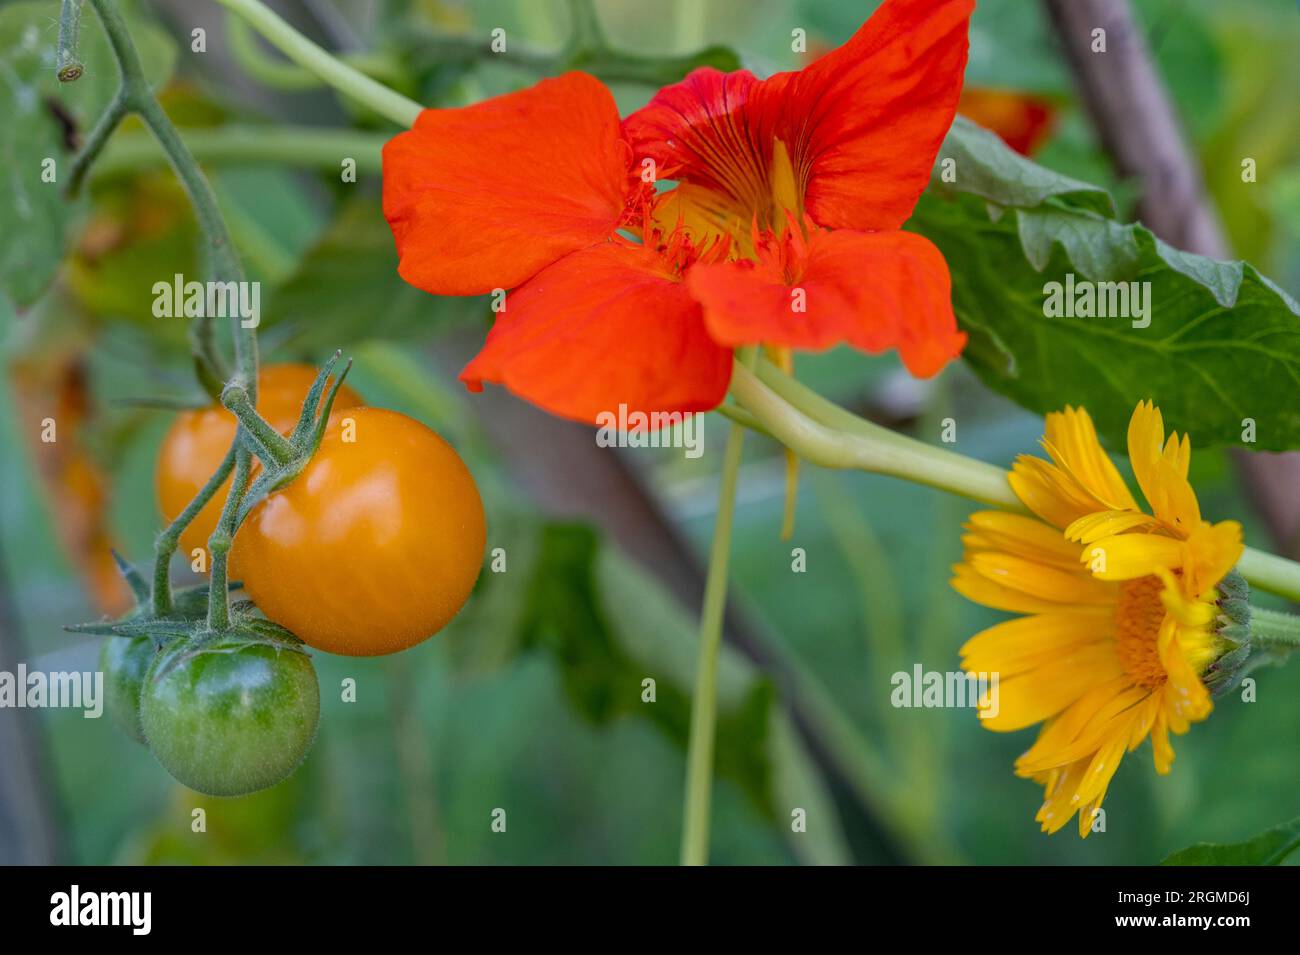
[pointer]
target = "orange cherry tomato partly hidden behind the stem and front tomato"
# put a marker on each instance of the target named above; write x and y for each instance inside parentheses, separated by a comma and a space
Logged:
(198, 440)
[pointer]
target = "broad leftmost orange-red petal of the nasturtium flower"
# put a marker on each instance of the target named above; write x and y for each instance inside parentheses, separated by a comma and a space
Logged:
(486, 197)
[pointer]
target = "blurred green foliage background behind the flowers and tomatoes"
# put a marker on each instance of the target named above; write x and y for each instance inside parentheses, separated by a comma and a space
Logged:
(531, 701)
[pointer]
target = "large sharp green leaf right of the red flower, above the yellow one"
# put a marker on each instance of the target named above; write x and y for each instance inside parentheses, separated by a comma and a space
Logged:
(1223, 344)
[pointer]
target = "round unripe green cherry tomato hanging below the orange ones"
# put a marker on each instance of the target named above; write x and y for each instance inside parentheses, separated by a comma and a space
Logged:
(229, 718)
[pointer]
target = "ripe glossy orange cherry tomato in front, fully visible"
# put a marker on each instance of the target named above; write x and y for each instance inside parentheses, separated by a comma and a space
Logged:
(375, 546)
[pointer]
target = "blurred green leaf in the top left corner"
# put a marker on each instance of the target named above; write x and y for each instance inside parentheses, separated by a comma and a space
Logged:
(44, 123)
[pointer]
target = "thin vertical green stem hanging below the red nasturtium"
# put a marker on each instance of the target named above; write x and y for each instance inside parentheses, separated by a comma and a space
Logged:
(704, 709)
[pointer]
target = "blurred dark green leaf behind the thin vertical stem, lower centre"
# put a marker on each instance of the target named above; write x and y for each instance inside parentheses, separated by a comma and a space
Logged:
(612, 628)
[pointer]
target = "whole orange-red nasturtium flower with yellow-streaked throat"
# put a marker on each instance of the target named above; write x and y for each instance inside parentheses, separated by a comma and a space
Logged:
(783, 228)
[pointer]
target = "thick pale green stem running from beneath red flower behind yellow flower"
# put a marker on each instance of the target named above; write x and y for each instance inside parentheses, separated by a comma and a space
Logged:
(826, 435)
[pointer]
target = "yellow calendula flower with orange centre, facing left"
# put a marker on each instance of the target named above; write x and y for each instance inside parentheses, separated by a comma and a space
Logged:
(1121, 607)
